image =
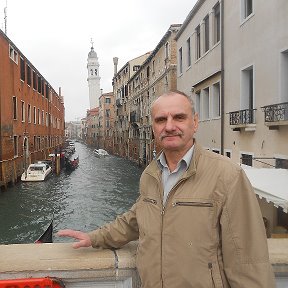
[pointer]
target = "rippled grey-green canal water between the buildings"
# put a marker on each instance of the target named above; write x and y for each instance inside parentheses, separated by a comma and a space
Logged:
(84, 199)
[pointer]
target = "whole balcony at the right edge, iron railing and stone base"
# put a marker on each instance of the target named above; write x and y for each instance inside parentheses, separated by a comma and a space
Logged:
(275, 115)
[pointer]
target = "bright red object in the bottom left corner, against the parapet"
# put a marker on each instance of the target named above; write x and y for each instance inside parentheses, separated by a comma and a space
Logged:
(47, 282)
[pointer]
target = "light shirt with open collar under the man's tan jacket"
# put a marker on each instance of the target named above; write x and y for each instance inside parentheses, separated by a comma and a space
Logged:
(169, 179)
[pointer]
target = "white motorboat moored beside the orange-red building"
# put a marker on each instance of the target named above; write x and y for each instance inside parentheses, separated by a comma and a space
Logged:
(36, 172)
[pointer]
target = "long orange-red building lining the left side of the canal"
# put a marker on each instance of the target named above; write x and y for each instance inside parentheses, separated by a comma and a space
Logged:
(31, 113)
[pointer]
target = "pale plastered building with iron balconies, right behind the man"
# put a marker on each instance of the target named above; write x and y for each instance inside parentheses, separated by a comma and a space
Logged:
(235, 65)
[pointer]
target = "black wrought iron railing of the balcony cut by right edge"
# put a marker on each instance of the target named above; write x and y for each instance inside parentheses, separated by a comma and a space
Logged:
(276, 112)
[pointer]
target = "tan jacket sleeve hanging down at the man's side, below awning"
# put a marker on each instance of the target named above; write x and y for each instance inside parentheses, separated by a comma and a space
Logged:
(244, 242)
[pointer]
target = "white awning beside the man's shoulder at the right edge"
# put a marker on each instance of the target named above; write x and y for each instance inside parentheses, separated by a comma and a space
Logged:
(269, 183)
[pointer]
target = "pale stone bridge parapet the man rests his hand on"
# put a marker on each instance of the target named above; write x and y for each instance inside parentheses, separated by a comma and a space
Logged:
(89, 267)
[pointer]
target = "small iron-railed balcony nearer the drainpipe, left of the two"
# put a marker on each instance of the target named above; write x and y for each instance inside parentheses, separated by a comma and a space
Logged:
(243, 119)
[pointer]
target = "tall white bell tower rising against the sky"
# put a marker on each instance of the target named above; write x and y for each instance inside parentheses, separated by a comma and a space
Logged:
(93, 78)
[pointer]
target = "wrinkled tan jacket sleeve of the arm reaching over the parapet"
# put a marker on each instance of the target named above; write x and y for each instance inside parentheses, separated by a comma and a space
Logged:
(117, 233)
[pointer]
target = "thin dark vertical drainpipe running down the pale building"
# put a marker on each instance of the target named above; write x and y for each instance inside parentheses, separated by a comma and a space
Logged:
(222, 77)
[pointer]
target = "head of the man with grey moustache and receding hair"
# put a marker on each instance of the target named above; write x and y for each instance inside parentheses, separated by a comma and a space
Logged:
(173, 123)
